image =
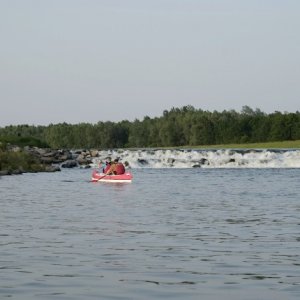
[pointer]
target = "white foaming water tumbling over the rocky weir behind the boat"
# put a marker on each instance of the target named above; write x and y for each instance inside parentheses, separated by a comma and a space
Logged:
(195, 158)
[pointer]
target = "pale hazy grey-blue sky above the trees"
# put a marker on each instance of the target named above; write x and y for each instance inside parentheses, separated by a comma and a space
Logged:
(97, 60)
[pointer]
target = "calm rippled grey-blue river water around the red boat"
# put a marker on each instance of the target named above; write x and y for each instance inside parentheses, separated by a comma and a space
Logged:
(171, 234)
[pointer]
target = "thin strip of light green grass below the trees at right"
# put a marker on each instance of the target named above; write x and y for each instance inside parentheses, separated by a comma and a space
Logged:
(270, 145)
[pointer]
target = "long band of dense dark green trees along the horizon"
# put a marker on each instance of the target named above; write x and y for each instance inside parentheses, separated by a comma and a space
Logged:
(185, 126)
